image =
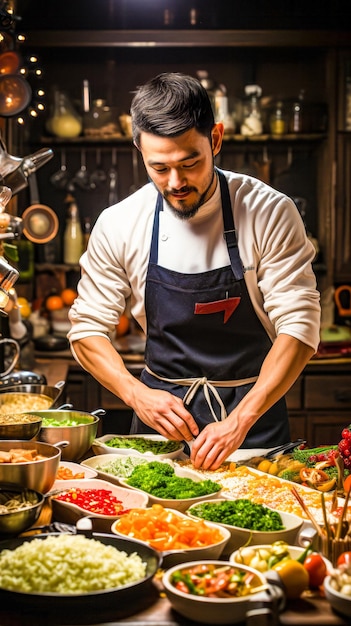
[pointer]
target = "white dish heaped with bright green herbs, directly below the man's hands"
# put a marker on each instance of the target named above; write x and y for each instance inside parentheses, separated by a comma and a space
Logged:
(172, 486)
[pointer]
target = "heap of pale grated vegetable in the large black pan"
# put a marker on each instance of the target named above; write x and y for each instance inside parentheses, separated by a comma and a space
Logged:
(67, 564)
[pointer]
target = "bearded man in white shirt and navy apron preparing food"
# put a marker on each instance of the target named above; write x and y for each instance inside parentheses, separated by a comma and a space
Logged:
(217, 267)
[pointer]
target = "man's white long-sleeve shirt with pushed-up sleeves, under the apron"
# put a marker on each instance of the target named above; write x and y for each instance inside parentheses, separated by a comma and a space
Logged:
(274, 249)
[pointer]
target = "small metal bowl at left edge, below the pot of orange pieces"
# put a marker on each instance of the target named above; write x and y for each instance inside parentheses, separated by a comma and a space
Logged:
(16, 522)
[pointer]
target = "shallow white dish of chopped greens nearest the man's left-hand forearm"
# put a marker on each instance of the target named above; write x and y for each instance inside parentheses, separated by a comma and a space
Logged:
(143, 445)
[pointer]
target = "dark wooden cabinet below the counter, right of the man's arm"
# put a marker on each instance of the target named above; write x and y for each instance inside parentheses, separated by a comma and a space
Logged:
(319, 403)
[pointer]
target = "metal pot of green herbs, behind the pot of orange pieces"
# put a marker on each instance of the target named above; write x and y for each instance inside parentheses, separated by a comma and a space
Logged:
(80, 437)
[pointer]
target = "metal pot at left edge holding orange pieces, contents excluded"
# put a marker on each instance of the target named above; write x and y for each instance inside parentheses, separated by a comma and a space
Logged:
(37, 475)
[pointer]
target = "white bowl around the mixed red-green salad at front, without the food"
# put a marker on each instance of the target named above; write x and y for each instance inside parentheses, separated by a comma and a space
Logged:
(212, 610)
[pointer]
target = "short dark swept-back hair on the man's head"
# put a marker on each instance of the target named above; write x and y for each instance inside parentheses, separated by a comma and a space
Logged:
(169, 105)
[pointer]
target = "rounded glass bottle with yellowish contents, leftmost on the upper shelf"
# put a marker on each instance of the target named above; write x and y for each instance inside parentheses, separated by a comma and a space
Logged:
(64, 121)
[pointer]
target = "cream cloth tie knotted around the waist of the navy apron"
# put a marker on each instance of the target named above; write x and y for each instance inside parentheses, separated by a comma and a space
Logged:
(208, 385)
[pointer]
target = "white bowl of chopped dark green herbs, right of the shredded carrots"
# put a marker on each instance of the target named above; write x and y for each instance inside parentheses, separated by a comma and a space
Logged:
(249, 523)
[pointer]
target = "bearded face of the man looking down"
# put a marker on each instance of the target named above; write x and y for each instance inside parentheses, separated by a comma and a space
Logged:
(182, 168)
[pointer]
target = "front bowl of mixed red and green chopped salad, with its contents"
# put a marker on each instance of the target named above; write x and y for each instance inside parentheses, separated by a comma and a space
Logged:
(218, 592)
